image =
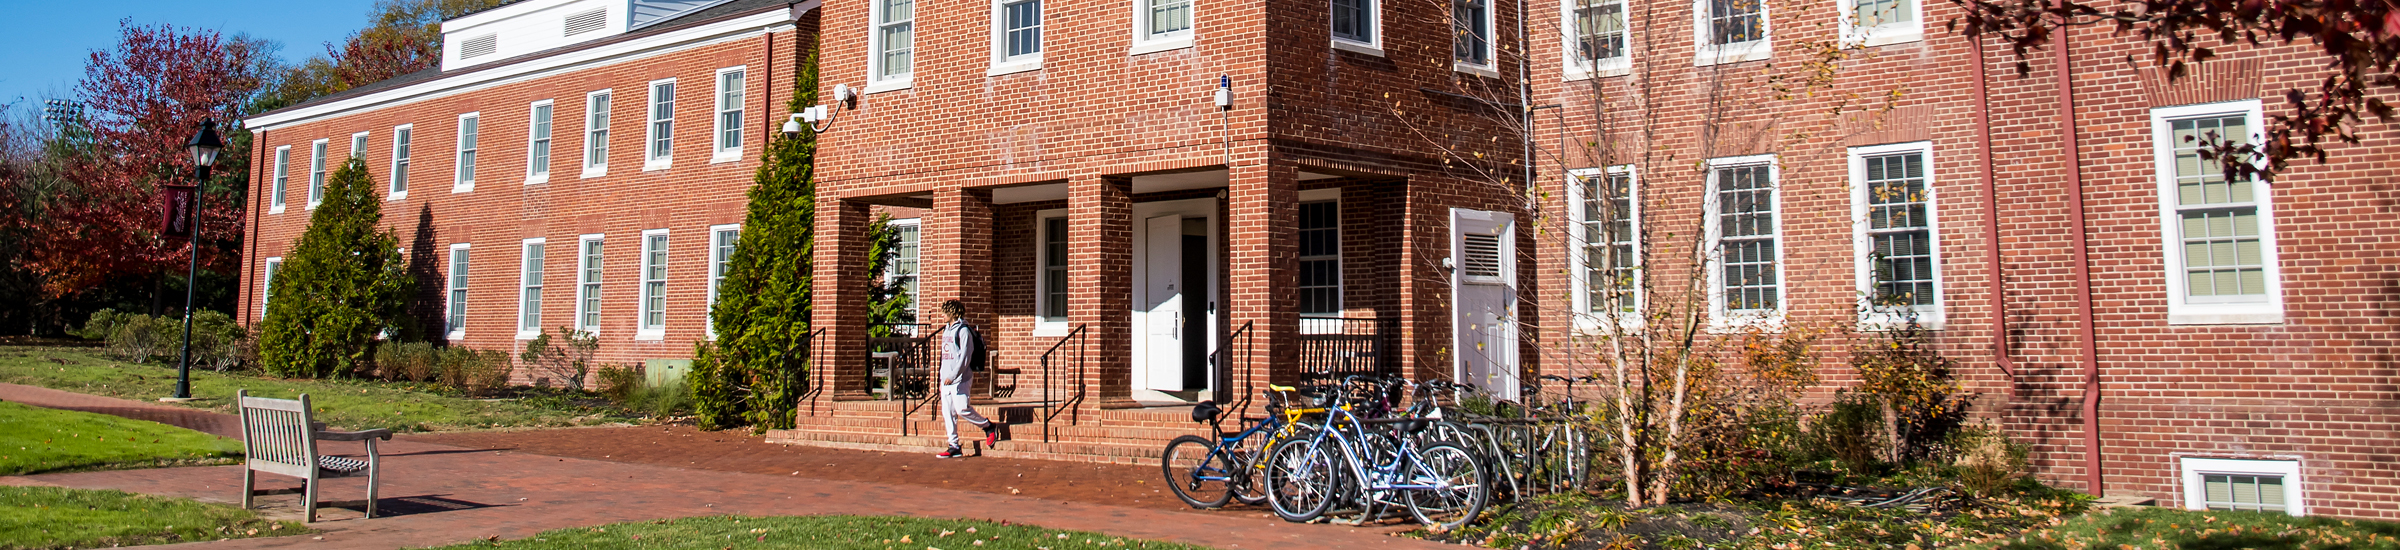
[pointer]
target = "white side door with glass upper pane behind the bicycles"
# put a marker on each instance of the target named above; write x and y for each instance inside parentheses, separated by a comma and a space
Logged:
(1484, 299)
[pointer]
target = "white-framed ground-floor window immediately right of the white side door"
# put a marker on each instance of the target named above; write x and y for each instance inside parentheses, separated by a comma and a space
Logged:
(1604, 246)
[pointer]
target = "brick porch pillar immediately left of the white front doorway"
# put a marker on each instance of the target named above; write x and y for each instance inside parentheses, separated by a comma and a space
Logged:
(1100, 285)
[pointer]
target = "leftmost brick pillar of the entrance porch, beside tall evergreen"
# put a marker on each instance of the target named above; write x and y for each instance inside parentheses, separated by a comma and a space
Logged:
(841, 299)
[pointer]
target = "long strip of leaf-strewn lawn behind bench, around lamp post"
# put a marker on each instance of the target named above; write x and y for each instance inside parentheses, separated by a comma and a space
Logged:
(352, 405)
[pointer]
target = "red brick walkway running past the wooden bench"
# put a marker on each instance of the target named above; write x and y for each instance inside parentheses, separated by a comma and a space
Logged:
(440, 494)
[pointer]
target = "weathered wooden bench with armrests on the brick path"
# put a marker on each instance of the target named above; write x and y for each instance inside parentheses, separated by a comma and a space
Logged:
(280, 436)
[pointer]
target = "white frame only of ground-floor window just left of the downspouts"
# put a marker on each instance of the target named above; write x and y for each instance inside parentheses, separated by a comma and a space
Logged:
(1864, 239)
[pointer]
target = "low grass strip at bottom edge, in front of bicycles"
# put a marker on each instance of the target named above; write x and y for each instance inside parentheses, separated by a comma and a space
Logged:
(822, 532)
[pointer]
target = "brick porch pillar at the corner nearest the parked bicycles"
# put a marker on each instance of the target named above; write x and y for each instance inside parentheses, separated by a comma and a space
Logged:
(1264, 263)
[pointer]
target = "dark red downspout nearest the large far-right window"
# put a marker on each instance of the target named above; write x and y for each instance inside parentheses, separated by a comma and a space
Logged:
(2084, 270)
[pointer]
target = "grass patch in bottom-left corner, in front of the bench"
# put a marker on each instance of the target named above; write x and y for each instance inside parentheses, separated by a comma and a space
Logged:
(56, 518)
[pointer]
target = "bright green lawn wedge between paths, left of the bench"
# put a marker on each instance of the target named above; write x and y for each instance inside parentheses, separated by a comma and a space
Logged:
(37, 441)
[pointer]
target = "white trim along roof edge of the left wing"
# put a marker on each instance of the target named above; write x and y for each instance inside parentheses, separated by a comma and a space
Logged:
(733, 30)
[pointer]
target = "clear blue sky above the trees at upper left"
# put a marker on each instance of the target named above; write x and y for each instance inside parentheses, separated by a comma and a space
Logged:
(47, 42)
